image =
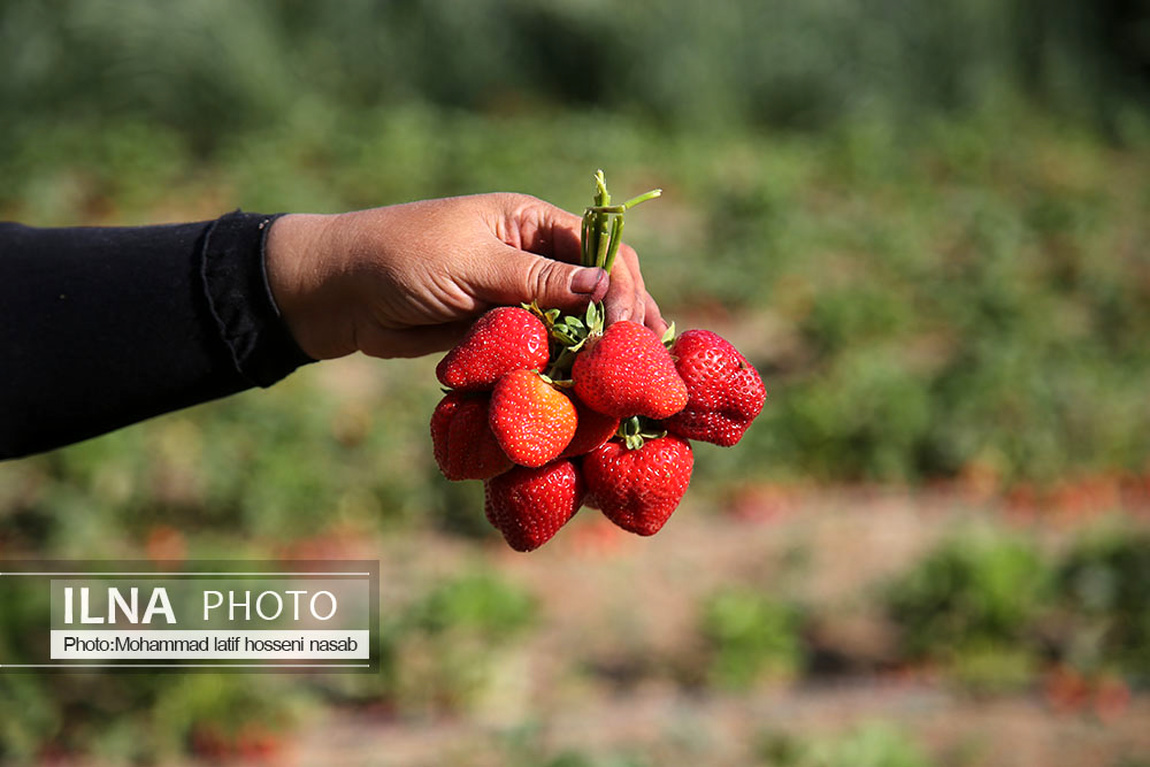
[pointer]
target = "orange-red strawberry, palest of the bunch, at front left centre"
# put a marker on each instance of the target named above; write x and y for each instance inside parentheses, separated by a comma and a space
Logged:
(532, 420)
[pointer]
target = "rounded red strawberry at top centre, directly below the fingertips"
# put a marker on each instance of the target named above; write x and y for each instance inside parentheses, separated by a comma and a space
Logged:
(628, 372)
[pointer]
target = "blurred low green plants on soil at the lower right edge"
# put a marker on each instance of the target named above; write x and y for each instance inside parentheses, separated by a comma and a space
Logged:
(992, 610)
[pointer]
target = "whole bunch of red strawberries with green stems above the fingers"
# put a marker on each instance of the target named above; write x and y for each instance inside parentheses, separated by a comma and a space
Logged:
(556, 412)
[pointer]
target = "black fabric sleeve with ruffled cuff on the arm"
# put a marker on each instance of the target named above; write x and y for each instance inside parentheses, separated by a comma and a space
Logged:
(105, 327)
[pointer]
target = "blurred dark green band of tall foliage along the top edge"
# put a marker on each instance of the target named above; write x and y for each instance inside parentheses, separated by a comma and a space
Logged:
(210, 70)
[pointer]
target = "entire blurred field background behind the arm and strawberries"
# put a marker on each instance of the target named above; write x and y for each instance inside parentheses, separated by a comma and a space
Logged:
(927, 226)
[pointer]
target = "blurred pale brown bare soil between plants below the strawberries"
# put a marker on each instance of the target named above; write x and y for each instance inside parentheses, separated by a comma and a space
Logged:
(618, 611)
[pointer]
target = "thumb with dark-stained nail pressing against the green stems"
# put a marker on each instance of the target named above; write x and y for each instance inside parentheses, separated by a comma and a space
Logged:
(517, 277)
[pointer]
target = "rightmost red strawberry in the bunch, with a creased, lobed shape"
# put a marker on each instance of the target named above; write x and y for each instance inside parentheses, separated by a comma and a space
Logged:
(726, 392)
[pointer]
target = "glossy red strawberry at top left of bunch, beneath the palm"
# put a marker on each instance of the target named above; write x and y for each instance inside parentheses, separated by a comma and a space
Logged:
(504, 340)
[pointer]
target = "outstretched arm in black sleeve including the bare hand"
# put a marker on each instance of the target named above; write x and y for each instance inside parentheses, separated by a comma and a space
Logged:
(102, 328)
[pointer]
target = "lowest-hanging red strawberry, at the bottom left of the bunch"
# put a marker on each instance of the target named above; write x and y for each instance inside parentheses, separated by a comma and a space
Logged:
(530, 505)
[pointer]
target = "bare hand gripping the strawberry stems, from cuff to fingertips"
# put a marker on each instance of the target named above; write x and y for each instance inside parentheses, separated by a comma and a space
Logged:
(408, 280)
